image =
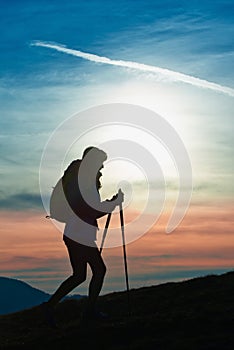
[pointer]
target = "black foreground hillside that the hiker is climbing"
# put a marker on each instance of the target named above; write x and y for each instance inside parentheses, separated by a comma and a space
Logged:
(197, 314)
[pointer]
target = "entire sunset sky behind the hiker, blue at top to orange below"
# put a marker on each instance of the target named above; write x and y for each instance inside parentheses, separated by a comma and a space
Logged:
(174, 58)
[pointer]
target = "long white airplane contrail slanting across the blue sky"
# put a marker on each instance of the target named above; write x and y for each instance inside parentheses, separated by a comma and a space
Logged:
(172, 75)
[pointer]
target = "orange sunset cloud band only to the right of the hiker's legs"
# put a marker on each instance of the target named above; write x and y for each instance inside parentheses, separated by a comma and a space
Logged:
(204, 241)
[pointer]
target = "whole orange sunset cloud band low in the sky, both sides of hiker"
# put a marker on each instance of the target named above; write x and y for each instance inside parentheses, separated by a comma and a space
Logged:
(32, 248)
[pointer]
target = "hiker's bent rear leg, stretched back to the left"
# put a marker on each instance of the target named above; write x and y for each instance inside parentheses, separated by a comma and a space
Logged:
(79, 266)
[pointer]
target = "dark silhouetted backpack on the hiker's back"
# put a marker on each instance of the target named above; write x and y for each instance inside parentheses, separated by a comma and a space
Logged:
(61, 196)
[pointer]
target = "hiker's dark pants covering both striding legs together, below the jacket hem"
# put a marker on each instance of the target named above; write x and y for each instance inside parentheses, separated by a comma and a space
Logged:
(81, 255)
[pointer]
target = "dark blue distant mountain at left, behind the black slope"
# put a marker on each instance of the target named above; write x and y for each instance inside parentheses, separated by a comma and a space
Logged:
(16, 295)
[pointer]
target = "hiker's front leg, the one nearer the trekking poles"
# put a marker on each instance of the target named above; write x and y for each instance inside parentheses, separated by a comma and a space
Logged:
(98, 273)
